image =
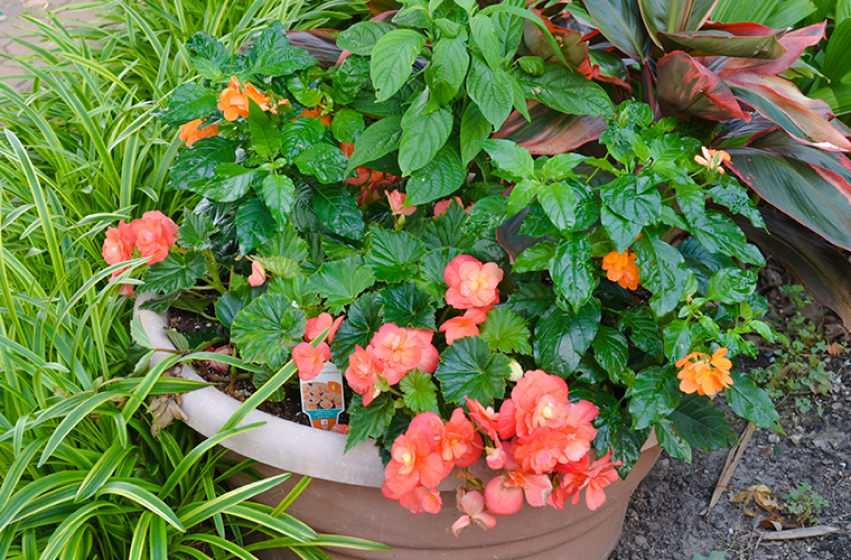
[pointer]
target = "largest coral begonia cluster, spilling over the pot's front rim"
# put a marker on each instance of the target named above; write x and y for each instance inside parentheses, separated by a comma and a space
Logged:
(538, 441)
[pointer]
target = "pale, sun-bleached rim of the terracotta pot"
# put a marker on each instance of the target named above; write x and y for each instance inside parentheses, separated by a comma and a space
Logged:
(320, 453)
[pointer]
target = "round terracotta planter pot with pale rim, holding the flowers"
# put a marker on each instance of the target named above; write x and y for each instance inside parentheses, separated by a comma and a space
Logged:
(345, 496)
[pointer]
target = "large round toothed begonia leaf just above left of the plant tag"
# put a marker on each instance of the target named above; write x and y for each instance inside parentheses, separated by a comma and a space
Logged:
(268, 329)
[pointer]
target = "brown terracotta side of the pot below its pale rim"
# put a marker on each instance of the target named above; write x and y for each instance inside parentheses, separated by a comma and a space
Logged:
(532, 534)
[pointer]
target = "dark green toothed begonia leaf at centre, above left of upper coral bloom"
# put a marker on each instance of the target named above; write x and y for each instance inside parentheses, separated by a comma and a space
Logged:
(393, 256)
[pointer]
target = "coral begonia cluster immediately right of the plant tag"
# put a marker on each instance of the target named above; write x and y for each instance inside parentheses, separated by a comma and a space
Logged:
(392, 353)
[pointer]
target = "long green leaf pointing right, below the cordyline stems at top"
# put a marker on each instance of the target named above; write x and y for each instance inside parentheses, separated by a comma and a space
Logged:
(566, 91)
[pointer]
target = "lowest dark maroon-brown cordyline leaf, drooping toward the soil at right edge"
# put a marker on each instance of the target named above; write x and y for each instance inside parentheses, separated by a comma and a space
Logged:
(819, 266)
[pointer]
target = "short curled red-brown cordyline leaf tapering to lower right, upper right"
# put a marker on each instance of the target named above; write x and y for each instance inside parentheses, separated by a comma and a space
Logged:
(687, 87)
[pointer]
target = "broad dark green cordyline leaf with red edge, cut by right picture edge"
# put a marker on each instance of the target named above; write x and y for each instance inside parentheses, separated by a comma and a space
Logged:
(811, 186)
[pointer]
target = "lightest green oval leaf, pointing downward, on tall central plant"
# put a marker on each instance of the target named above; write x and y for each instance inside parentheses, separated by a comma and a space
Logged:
(392, 59)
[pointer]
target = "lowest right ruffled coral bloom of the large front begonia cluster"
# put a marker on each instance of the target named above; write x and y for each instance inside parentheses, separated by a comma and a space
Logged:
(581, 474)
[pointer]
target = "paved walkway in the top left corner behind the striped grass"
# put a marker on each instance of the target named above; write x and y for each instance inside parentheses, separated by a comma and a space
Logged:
(15, 26)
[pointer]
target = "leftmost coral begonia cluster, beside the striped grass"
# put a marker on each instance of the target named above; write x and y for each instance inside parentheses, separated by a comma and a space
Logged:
(152, 235)
